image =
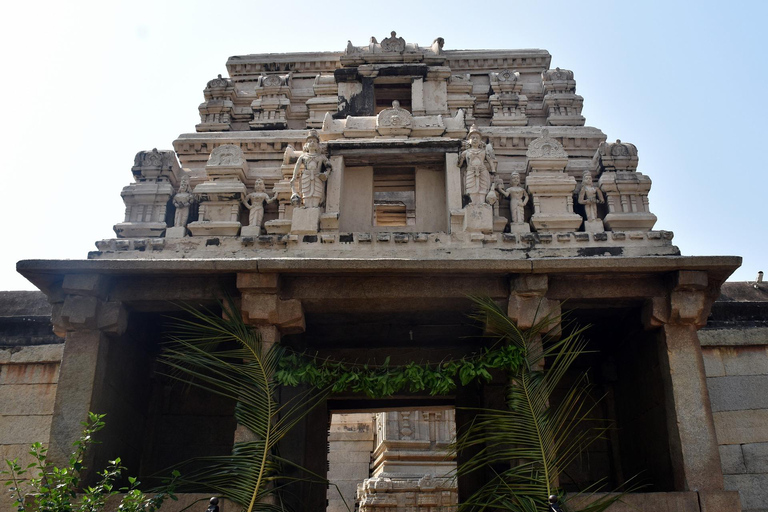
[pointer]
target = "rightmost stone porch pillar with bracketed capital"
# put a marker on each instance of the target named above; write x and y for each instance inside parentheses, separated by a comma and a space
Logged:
(691, 428)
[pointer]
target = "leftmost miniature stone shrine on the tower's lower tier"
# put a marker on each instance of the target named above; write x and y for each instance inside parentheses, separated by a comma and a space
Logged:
(146, 201)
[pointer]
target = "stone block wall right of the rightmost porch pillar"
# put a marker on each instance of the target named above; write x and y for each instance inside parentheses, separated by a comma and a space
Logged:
(735, 346)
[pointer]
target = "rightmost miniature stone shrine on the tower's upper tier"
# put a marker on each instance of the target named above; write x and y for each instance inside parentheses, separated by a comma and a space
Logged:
(562, 103)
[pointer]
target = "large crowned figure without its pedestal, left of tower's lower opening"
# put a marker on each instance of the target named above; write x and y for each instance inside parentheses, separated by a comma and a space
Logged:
(310, 189)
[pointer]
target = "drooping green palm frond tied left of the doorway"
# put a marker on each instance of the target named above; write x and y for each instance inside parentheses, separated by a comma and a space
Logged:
(222, 354)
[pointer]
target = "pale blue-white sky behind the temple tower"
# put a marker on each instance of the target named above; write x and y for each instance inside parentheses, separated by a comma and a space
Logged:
(88, 84)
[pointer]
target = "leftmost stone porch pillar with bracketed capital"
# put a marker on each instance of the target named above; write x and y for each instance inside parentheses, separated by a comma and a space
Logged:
(87, 321)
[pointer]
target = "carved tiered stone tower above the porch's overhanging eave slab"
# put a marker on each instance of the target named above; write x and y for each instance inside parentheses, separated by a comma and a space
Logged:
(389, 149)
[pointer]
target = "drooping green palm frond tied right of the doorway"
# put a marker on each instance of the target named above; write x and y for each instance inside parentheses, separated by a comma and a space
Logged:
(542, 437)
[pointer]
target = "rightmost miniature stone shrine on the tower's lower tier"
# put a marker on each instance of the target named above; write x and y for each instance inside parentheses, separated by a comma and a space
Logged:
(626, 189)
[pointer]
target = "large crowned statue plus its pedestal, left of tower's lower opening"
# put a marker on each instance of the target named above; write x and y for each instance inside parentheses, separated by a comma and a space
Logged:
(308, 186)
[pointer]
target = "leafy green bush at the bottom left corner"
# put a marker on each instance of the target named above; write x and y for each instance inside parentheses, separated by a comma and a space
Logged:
(54, 489)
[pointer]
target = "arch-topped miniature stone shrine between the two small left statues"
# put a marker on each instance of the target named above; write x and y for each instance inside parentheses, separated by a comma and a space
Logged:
(220, 197)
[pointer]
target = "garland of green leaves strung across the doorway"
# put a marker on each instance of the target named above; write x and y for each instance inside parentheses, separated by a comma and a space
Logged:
(383, 380)
